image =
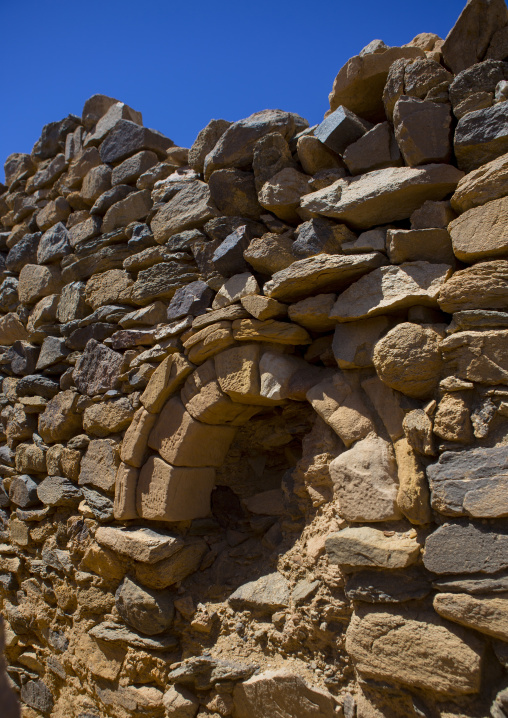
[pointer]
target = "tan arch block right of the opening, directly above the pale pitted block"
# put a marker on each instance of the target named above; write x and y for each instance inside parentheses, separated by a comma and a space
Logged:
(340, 404)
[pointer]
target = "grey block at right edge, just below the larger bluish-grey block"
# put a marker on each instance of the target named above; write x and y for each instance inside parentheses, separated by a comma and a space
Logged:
(466, 548)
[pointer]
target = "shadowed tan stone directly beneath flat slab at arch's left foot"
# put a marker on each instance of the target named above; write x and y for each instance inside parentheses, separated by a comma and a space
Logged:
(178, 566)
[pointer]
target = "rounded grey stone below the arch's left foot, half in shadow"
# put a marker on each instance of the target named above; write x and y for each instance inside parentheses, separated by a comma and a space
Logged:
(147, 611)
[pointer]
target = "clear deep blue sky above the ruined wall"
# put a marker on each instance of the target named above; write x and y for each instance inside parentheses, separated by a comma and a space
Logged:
(183, 63)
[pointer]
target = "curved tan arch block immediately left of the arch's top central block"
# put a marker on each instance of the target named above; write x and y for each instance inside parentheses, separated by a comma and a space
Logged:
(206, 402)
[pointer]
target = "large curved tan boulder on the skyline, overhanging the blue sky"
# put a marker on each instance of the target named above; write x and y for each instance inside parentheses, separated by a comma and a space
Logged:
(360, 83)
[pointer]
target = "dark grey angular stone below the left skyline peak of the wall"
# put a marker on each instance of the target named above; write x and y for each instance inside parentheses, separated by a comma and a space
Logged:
(126, 138)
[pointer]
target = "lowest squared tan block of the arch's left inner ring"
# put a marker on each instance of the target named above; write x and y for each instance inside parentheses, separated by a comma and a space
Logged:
(174, 493)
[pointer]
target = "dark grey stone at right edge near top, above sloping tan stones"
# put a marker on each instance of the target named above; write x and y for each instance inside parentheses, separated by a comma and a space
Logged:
(481, 136)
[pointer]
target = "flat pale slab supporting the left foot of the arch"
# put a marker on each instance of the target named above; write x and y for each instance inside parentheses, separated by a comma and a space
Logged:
(140, 544)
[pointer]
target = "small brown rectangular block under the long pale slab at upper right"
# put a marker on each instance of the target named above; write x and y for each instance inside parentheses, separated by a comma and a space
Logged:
(411, 245)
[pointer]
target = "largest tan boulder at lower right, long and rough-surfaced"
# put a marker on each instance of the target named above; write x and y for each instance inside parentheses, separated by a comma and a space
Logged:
(414, 649)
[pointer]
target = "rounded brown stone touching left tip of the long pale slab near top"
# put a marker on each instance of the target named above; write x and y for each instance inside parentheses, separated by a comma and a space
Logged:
(281, 194)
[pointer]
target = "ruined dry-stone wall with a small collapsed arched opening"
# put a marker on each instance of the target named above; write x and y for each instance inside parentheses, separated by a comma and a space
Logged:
(254, 408)
